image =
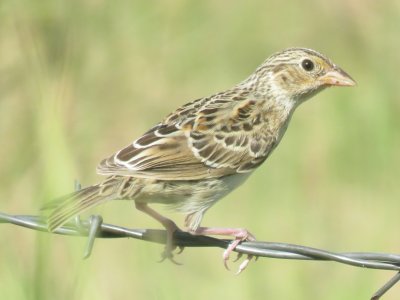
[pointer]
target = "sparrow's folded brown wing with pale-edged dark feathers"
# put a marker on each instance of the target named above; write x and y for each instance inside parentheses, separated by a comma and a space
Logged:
(210, 137)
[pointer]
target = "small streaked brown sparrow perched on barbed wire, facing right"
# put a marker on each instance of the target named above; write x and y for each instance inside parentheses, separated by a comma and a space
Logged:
(208, 147)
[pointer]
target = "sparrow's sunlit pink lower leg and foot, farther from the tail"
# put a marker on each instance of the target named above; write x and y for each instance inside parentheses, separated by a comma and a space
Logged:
(240, 234)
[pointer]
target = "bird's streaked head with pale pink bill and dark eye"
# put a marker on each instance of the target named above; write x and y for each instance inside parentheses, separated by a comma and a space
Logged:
(297, 74)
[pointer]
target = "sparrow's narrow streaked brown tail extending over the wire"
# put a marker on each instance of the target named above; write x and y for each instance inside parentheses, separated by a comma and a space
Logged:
(76, 203)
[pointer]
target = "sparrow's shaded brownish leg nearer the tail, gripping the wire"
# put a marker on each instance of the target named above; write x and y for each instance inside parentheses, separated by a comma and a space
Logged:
(168, 224)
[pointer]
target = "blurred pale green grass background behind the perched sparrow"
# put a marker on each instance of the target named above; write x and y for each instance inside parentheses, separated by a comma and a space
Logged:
(79, 79)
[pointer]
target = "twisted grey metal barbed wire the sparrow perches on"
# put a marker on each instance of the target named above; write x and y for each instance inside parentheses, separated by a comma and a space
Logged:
(95, 228)
